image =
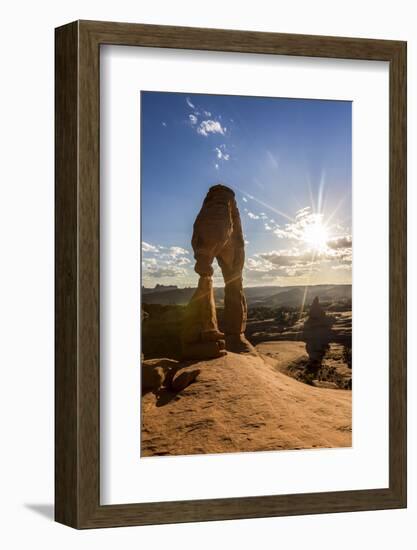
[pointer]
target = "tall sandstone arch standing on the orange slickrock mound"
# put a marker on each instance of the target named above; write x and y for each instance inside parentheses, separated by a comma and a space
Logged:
(217, 234)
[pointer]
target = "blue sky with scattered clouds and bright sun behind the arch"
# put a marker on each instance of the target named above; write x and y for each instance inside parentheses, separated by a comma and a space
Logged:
(289, 162)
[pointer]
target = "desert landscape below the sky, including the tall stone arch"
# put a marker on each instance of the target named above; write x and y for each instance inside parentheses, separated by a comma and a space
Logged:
(242, 370)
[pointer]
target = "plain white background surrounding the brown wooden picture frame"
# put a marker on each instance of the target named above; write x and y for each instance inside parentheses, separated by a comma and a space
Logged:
(26, 274)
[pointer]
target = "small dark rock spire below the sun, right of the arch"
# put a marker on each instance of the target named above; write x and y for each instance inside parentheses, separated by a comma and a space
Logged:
(317, 333)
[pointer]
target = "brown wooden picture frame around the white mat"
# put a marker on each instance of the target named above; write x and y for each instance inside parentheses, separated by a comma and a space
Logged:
(77, 374)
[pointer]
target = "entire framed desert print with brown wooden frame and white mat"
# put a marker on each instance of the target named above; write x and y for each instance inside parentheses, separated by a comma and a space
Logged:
(230, 274)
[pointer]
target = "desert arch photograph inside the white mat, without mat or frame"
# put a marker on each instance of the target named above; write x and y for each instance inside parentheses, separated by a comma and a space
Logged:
(246, 273)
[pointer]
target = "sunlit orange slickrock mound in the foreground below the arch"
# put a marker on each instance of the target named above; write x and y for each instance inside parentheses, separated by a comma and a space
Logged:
(239, 403)
